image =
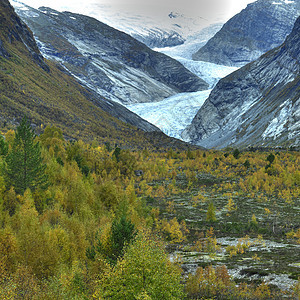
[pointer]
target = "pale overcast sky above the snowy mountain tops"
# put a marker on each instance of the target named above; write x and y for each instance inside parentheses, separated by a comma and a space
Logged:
(190, 7)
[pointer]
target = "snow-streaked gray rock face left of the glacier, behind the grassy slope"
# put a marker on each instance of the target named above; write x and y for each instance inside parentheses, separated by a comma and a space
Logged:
(106, 60)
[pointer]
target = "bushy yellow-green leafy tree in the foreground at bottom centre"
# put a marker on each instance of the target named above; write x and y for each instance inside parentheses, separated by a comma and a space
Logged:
(145, 272)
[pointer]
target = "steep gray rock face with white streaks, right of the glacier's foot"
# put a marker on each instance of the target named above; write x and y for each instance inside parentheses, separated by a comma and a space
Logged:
(257, 105)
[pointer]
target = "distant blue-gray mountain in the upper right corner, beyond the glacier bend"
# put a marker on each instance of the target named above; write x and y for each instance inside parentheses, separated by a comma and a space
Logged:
(262, 26)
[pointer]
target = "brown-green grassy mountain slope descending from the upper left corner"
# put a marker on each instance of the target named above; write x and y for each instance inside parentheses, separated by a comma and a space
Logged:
(33, 86)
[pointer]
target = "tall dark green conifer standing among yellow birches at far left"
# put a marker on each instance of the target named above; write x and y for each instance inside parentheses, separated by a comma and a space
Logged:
(24, 166)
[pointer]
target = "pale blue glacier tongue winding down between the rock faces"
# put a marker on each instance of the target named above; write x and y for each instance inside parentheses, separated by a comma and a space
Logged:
(173, 114)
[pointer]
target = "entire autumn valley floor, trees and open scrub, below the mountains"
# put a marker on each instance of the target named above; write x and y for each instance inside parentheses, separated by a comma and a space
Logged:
(85, 225)
